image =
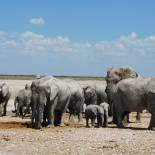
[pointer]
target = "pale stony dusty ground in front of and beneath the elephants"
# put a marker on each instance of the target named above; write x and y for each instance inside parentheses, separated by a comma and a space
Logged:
(16, 138)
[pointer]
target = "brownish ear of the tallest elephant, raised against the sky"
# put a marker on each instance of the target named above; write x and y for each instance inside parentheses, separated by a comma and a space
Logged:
(127, 72)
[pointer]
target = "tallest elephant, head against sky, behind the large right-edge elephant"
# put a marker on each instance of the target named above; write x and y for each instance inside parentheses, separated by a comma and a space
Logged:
(114, 76)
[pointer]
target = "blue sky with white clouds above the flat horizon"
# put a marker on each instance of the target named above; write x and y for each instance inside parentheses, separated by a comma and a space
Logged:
(70, 37)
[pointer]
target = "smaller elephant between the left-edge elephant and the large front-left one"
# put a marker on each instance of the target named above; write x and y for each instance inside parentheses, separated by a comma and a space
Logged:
(22, 102)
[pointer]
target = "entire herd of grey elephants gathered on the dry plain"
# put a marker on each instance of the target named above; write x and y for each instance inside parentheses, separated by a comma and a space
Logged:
(47, 99)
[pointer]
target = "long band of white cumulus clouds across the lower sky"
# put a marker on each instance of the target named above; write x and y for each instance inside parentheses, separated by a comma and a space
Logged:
(34, 43)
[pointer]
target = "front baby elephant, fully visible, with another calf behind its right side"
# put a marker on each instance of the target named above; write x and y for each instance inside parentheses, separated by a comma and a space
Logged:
(92, 112)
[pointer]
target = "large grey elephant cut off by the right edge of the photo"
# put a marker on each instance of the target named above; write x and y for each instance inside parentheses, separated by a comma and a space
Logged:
(134, 95)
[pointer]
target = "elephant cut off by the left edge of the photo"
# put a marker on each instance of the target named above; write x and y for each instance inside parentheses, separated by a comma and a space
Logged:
(4, 97)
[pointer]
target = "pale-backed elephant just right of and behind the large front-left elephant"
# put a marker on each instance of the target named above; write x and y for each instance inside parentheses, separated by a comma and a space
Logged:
(77, 99)
